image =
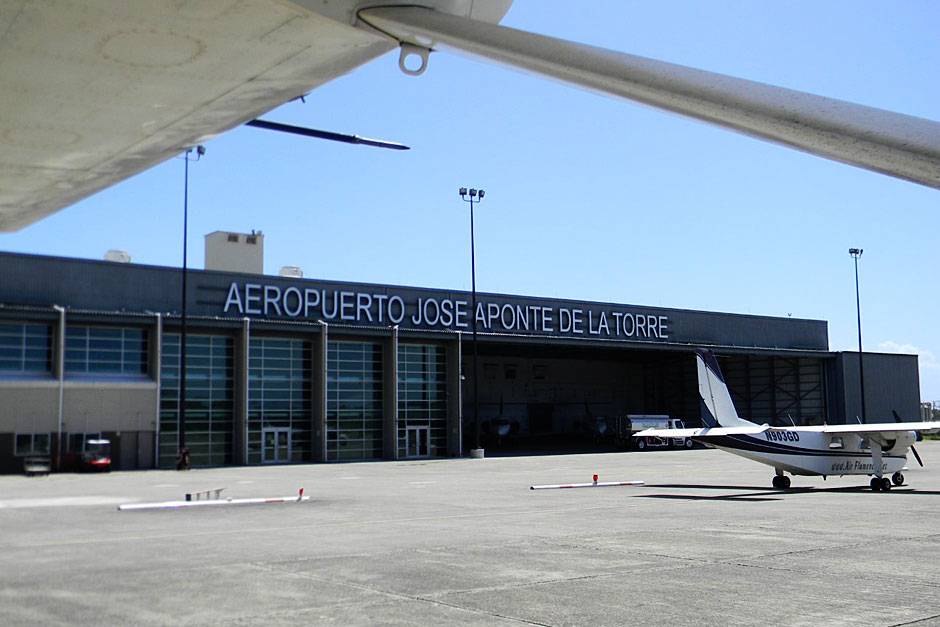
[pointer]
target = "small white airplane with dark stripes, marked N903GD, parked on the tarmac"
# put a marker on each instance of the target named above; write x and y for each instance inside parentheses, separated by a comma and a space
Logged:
(874, 449)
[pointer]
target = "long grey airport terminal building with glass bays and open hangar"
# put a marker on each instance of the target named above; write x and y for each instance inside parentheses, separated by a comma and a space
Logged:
(282, 369)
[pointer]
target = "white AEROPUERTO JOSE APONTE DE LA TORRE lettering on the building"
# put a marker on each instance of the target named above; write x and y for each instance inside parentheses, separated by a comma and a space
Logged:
(428, 312)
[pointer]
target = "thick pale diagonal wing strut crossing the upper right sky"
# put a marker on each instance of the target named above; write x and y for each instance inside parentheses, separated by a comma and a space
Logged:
(895, 144)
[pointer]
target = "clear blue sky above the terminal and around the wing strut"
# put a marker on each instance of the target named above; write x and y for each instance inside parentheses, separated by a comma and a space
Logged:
(587, 197)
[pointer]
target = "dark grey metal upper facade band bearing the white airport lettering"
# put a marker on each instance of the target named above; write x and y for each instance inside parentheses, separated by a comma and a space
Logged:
(113, 287)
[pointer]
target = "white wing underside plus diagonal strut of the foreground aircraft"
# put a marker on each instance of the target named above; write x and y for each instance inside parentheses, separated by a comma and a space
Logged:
(94, 91)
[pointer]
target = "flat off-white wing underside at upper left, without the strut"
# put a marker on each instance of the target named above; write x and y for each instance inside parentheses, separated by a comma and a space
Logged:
(94, 91)
